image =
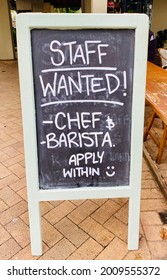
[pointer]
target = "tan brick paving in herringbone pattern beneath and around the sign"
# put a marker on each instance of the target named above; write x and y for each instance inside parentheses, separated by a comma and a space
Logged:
(83, 229)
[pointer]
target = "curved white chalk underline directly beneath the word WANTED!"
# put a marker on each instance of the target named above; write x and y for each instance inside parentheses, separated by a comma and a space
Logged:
(82, 101)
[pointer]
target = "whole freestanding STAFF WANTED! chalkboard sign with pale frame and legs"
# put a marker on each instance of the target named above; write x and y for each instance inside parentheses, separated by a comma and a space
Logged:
(82, 82)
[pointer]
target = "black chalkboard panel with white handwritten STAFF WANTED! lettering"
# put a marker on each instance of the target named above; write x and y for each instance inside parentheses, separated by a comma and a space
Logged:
(83, 99)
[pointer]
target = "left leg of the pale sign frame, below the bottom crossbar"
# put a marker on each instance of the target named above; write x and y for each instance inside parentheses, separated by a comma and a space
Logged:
(35, 228)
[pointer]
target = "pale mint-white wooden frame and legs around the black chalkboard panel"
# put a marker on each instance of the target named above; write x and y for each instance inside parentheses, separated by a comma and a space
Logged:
(25, 23)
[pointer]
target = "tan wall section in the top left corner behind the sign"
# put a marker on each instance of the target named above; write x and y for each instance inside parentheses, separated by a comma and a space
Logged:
(6, 39)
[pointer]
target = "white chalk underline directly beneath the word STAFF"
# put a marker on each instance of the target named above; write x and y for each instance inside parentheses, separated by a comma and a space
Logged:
(79, 68)
